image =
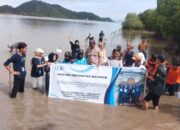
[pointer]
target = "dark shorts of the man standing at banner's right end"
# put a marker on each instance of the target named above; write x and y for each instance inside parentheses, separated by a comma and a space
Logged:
(154, 98)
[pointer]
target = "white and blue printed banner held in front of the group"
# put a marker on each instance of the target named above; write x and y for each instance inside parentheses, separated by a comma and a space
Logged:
(105, 85)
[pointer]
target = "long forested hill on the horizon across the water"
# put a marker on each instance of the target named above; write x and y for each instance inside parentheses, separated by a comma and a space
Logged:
(42, 9)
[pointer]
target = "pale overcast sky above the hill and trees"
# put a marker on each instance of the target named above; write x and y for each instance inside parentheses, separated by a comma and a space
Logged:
(115, 9)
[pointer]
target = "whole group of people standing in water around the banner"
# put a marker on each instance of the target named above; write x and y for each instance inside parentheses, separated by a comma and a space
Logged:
(157, 74)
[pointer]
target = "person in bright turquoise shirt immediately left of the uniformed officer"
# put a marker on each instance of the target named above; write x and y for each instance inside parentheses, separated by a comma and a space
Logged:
(81, 60)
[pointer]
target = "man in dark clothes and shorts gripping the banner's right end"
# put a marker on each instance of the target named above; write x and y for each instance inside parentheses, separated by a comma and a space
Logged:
(157, 84)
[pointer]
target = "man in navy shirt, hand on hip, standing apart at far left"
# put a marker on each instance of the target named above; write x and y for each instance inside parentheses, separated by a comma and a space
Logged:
(18, 70)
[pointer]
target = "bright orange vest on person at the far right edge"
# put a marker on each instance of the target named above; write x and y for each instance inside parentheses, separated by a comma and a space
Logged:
(172, 75)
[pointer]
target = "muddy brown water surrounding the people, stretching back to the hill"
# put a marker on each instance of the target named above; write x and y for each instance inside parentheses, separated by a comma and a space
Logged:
(33, 110)
